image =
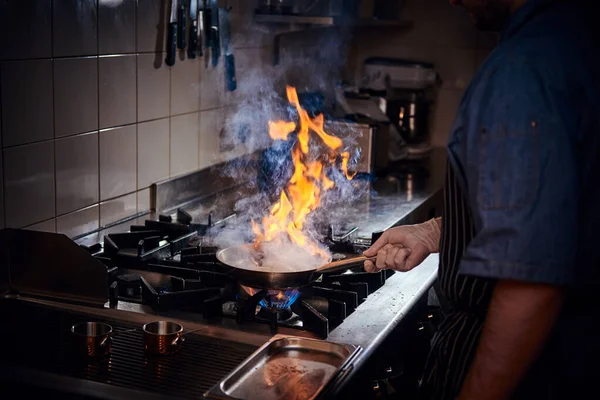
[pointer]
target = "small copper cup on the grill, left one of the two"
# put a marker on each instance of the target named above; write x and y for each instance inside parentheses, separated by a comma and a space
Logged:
(92, 338)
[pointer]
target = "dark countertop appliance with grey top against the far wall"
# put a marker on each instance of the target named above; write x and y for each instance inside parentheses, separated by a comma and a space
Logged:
(406, 92)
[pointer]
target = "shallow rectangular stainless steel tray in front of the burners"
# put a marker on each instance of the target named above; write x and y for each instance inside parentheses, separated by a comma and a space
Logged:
(287, 367)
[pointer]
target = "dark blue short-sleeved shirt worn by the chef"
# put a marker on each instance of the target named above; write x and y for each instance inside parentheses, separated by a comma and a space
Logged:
(525, 148)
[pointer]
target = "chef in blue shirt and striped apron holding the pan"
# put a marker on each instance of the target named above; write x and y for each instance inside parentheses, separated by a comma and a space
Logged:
(518, 243)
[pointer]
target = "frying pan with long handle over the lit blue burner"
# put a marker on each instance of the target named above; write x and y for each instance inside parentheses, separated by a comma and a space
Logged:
(246, 268)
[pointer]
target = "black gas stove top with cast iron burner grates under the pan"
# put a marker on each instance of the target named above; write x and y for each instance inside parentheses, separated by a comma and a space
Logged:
(169, 263)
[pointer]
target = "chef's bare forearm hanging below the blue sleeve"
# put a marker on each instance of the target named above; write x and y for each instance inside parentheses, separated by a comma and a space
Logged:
(520, 318)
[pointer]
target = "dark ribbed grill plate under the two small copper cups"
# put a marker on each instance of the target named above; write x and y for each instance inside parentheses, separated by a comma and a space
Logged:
(43, 343)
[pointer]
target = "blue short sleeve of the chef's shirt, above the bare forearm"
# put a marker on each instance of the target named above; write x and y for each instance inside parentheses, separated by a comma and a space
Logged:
(523, 190)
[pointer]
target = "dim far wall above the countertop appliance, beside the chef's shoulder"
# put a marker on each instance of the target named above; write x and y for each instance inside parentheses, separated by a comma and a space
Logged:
(441, 34)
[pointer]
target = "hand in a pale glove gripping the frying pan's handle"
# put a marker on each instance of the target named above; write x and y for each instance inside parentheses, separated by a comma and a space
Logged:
(404, 247)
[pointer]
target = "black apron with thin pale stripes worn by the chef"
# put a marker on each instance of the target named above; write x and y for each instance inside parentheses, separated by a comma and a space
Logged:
(454, 345)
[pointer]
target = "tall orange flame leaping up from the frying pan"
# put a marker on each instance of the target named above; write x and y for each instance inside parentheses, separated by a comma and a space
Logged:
(302, 193)
